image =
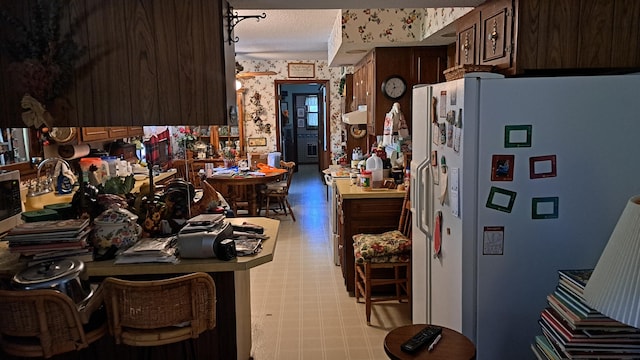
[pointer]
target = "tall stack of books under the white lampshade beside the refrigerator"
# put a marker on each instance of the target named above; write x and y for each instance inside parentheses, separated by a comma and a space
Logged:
(573, 330)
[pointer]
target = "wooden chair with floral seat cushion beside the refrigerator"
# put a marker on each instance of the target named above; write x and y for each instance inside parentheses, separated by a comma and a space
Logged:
(384, 259)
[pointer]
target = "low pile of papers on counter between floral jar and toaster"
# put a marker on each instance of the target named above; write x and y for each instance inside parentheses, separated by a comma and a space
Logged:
(150, 250)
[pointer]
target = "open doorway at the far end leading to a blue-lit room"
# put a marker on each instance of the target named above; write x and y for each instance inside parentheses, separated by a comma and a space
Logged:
(302, 126)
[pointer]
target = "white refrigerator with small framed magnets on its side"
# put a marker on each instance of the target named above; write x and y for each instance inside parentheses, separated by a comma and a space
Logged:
(538, 170)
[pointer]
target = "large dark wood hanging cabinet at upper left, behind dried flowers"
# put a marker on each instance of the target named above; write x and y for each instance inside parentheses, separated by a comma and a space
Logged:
(149, 62)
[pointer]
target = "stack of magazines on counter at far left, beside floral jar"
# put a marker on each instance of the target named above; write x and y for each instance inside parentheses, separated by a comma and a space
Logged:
(51, 240)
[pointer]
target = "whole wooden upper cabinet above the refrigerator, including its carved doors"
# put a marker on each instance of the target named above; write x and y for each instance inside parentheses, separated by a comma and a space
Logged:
(521, 37)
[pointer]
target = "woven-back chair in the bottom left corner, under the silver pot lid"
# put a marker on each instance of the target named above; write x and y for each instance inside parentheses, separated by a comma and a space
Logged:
(44, 323)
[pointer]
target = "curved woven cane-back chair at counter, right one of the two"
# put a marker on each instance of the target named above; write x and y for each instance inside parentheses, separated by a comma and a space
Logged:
(159, 312)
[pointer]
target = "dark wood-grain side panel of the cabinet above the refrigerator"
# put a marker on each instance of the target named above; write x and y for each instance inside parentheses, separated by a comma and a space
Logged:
(577, 34)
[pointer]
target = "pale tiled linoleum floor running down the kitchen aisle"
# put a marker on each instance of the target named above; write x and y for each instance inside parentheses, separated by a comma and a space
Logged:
(300, 306)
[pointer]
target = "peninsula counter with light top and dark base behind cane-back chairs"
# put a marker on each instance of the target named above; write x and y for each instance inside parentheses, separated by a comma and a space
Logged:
(230, 339)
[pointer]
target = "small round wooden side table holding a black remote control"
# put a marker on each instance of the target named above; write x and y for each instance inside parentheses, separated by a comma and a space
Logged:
(452, 346)
